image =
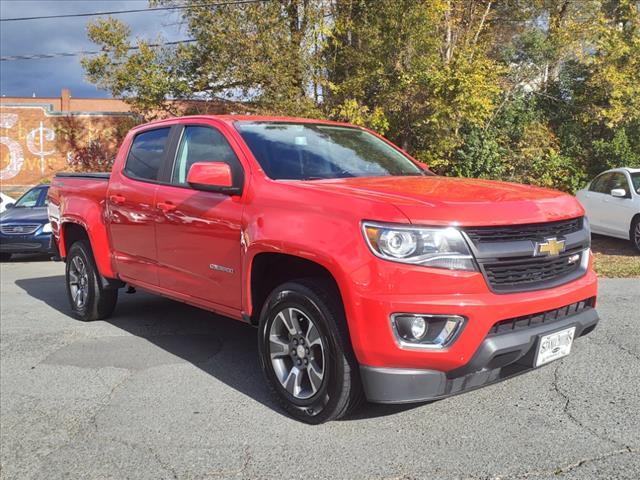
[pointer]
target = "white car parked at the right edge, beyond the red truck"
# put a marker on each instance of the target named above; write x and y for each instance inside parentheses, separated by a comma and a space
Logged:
(612, 202)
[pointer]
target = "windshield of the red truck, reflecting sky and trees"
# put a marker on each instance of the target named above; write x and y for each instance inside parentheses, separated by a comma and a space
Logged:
(303, 151)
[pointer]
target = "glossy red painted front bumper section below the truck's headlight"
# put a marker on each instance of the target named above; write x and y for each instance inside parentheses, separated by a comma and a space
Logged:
(384, 289)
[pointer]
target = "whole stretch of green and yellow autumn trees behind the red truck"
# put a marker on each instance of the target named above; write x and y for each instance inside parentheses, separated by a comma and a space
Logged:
(538, 91)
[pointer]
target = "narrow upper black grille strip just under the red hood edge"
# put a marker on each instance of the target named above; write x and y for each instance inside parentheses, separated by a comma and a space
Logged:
(532, 231)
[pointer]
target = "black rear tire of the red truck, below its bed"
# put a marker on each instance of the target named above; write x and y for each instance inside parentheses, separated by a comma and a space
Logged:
(97, 302)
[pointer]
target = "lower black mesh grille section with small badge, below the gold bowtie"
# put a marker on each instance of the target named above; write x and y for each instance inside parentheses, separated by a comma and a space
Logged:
(507, 275)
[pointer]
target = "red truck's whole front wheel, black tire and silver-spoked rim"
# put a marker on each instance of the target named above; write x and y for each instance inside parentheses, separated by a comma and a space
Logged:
(305, 351)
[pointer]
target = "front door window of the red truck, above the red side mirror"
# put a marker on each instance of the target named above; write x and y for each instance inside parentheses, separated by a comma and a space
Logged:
(203, 144)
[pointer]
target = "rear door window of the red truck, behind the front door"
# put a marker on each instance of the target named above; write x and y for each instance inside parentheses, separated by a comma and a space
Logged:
(146, 154)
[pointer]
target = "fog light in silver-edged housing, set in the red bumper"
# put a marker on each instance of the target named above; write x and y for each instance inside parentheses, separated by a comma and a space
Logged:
(425, 331)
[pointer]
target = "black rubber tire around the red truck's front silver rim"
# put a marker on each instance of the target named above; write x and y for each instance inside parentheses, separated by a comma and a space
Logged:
(340, 390)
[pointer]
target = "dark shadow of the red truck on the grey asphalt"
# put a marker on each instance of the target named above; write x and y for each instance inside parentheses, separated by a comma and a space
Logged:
(224, 348)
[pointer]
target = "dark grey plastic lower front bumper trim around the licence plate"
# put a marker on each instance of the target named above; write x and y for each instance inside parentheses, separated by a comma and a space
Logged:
(497, 358)
